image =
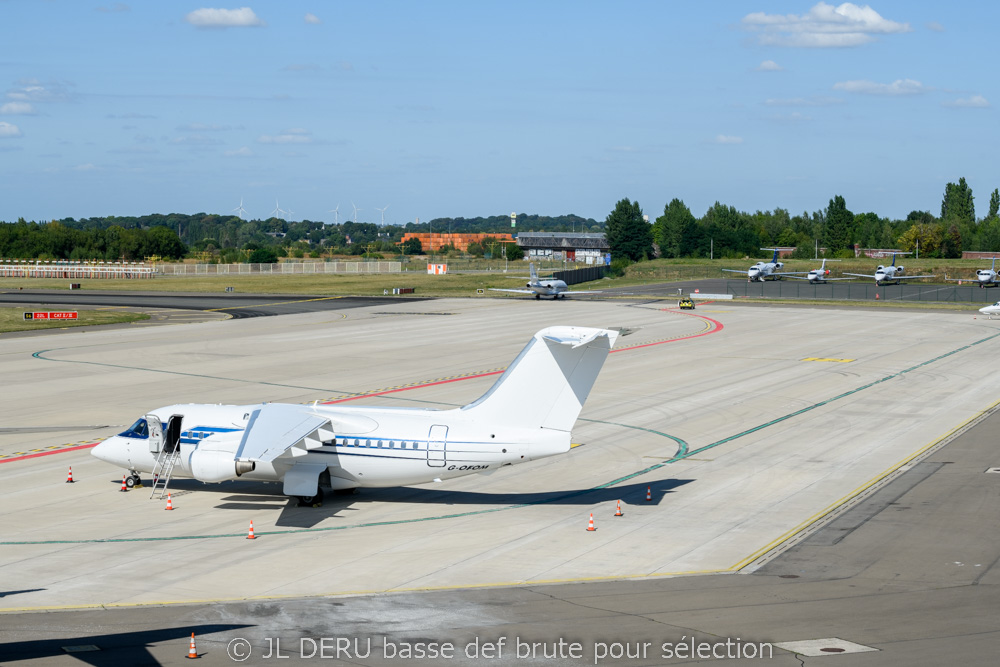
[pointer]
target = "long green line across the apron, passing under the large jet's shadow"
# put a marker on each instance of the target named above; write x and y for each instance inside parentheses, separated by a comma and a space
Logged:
(683, 452)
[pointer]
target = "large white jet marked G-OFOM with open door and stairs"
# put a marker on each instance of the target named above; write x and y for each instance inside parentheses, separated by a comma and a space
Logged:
(526, 415)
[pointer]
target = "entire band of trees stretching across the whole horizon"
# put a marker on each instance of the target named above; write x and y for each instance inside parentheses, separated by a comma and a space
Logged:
(722, 232)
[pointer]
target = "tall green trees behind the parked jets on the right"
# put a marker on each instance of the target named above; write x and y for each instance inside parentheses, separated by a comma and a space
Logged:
(724, 232)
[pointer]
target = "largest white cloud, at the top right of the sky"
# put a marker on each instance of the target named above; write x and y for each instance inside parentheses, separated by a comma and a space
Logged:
(824, 26)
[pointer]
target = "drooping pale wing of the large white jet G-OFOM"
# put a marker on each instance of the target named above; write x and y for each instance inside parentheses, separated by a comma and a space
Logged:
(276, 427)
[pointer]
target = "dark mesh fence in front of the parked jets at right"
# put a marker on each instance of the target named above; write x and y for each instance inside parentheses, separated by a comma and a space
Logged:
(851, 291)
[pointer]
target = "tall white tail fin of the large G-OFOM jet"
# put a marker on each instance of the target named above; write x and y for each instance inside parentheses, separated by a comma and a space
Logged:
(549, 381)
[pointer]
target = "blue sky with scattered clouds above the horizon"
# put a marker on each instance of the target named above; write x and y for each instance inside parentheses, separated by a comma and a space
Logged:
(480, 108)
